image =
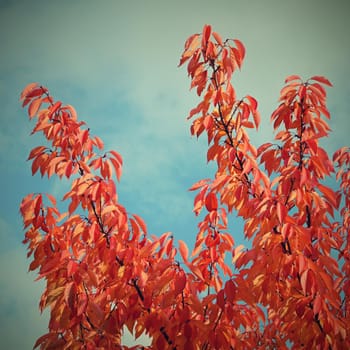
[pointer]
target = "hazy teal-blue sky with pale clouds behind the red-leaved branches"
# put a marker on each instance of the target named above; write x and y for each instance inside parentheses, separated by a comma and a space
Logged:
(116, 63)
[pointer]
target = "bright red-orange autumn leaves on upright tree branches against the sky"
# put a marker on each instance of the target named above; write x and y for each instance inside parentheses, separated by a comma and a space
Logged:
(103, 272)
